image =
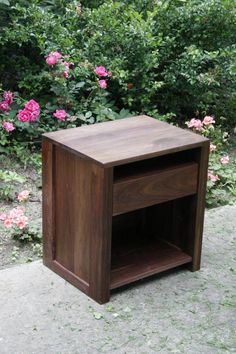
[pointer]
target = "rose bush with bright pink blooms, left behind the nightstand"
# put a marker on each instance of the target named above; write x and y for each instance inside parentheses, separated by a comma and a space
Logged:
(22, 121)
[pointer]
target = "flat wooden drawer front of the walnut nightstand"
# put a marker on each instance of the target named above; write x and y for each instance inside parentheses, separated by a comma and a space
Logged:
(154, 187)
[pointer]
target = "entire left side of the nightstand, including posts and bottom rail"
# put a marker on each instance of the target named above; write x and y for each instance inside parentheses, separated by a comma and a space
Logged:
(77, 216)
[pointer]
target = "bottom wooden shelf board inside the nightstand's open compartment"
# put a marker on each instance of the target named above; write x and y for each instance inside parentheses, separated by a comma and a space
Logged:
(133, 263)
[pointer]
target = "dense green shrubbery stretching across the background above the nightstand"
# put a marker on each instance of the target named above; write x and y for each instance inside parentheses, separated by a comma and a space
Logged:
(172, 58)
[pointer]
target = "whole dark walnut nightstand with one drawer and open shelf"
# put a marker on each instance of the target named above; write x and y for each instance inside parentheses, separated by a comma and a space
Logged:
(122, 200)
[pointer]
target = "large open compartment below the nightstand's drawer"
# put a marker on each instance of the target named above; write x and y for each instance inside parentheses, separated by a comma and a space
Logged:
(149, 241)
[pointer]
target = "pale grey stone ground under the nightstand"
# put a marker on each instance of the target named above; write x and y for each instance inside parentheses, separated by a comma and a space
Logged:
(179, 312)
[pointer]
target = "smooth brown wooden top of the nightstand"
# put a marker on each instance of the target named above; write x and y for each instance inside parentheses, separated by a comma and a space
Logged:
(125, 140)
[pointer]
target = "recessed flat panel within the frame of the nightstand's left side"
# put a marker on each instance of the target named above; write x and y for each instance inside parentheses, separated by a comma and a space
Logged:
(71, 215)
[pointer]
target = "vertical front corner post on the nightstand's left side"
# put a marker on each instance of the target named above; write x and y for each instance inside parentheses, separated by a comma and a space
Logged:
(100, 233)
